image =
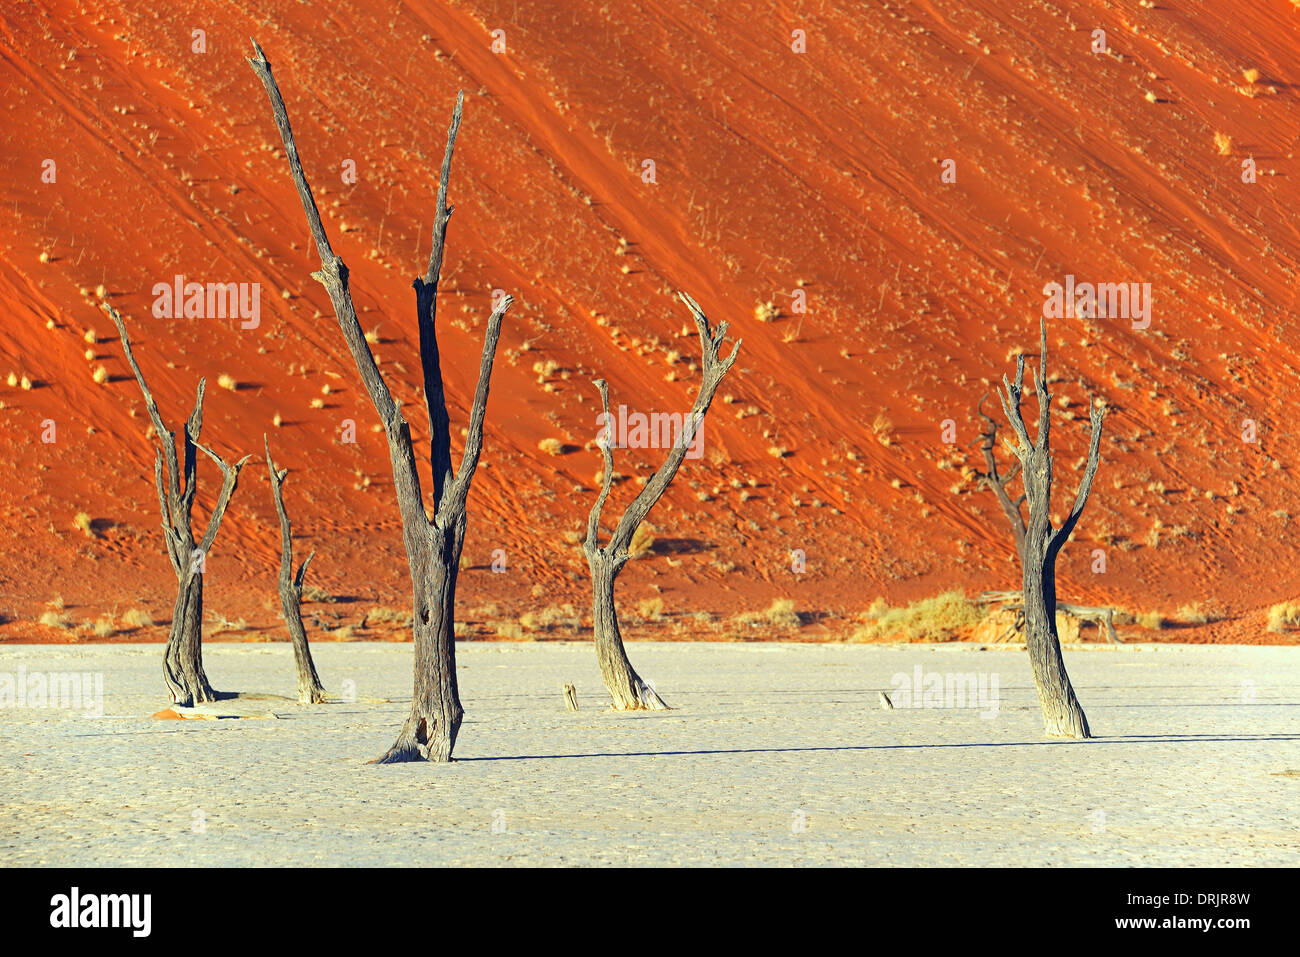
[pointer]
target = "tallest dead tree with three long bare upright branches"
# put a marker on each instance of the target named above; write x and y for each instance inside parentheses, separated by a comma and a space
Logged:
(434, 539)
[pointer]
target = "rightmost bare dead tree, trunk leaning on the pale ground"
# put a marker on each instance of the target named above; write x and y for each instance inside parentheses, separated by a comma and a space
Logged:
(1063, 716)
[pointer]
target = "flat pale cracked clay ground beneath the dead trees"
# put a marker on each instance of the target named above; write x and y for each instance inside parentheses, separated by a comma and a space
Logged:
(1185, 770)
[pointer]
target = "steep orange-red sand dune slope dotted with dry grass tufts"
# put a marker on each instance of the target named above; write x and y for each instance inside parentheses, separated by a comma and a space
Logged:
(775, 171)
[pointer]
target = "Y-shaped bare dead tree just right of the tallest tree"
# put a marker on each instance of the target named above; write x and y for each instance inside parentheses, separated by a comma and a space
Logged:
(626, 687)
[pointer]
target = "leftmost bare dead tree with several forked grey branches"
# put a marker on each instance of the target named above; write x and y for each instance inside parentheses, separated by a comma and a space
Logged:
(183, 661)
